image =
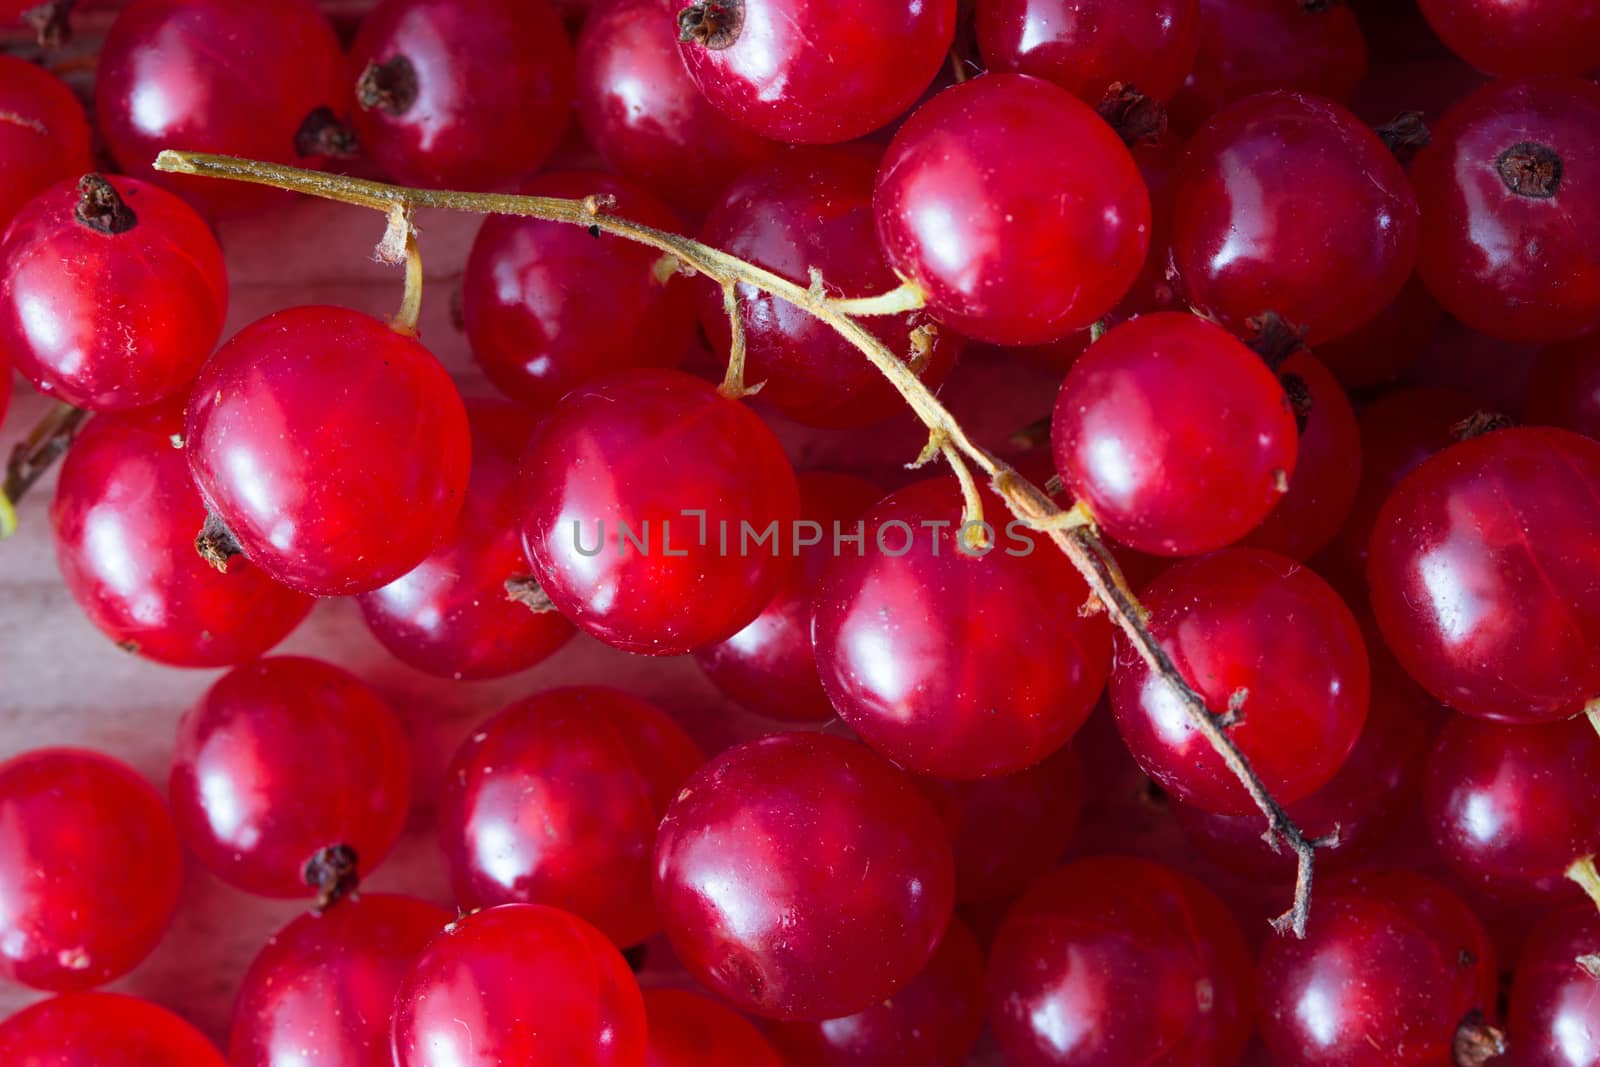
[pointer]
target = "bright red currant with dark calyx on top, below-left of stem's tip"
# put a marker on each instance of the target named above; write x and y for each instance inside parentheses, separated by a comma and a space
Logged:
(111, 321)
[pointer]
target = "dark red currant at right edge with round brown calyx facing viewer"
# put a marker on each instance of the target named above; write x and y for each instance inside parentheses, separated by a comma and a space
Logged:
(1514, 265)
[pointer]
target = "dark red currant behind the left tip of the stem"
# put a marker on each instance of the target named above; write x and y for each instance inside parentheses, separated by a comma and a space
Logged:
(233, 78)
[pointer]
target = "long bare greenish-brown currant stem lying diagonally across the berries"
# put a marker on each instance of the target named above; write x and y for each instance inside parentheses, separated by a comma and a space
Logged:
(1073, 530)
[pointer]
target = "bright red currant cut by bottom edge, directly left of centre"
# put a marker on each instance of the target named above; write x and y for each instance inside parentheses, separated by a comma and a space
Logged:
(534, 985)
